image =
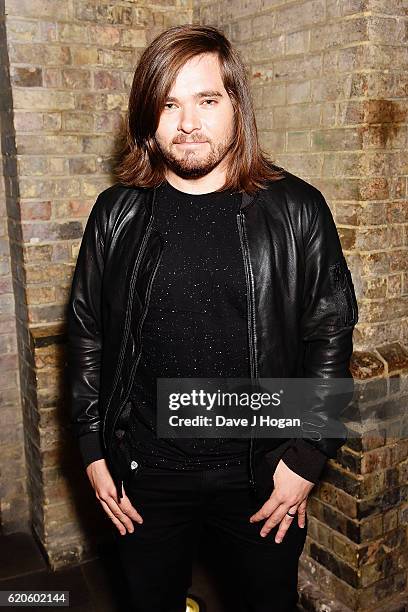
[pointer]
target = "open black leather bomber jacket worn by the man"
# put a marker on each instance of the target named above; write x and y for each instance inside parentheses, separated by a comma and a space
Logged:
(301, 311)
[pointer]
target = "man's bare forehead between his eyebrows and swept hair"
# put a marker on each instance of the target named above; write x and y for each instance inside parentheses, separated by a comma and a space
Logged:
(197, 74)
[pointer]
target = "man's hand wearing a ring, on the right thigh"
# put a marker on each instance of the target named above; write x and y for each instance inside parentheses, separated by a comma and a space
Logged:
(290, 493)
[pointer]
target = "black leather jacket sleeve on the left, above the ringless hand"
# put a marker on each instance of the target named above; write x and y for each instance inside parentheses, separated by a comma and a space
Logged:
(84, 343)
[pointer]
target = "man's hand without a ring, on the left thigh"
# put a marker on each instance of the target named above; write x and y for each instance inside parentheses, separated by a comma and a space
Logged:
(104, 487)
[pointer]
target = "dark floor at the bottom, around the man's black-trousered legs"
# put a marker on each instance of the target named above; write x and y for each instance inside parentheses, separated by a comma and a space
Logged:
(94, 586)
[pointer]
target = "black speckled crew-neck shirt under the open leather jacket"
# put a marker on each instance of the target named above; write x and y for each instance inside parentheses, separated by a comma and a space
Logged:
(196, 322)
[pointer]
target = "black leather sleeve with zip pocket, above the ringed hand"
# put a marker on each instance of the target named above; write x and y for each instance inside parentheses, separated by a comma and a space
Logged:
(329, 314)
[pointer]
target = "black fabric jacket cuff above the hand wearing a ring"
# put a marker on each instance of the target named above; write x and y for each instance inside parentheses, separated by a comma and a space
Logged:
(305, 459)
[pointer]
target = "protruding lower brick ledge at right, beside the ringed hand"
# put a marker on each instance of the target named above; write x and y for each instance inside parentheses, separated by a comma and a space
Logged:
(357, 546)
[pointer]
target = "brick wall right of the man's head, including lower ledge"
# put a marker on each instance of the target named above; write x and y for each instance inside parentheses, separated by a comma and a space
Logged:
(329, 86)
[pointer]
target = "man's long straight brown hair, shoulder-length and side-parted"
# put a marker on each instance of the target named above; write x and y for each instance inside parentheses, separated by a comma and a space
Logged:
(140, 161)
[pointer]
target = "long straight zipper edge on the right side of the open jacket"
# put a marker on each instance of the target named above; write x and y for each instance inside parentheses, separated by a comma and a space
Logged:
(251, 333)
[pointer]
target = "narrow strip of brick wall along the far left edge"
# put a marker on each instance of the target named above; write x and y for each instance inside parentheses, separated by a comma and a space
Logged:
(13, 498)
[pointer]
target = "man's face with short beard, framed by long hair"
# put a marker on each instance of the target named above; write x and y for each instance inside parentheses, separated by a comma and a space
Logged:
(196, 125)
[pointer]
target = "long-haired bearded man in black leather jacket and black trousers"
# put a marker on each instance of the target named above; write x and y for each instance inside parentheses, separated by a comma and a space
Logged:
(204, 260)
